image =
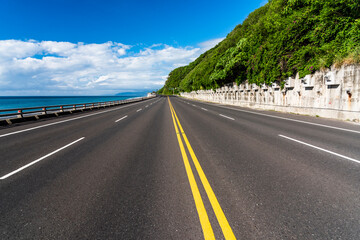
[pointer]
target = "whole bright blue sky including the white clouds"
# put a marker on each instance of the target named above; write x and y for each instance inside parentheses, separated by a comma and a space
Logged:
(92, 47)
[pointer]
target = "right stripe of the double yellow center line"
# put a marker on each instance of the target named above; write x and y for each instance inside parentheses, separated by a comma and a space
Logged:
(224, 224)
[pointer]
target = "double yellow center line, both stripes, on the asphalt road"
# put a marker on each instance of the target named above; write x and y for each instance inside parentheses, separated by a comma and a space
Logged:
(203, 216)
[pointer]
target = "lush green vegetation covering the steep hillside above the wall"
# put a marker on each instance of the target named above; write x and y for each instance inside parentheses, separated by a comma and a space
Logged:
(275, 42)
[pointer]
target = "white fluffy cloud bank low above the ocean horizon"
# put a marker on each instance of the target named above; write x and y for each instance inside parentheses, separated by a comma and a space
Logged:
(64, 68)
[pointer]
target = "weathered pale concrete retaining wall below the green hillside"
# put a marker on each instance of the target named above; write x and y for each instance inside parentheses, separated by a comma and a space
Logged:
(332, 93)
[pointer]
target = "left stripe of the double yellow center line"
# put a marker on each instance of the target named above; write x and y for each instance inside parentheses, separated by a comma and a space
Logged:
(204, 219)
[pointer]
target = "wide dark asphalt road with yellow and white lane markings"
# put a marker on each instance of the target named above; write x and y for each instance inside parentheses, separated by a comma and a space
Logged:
(180, 169)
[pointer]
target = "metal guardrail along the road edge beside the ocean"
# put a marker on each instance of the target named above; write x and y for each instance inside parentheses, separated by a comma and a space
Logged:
(16, 113)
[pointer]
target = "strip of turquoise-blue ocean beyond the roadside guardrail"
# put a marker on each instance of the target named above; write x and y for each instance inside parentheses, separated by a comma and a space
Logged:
(24, 102)
